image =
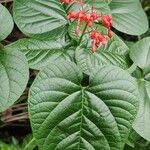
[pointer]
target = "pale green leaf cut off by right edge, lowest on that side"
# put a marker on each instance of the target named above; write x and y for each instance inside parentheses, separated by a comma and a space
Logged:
(142, 122)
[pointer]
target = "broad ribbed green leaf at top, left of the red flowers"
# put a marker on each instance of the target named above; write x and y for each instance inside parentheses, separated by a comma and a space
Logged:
(40, 18)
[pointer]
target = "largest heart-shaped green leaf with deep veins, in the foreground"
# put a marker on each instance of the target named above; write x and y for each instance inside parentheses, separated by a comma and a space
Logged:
(65, 115)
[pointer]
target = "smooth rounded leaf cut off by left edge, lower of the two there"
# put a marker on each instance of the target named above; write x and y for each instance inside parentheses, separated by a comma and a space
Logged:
(14, 75)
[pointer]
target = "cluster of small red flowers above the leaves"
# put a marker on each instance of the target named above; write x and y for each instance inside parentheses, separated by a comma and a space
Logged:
(89, 18)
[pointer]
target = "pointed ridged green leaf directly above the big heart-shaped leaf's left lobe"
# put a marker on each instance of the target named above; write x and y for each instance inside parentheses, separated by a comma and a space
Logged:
(40, 53)
